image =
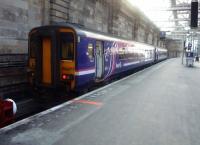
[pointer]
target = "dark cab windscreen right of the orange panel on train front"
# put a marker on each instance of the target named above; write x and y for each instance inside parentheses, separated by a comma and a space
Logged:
(67, 46)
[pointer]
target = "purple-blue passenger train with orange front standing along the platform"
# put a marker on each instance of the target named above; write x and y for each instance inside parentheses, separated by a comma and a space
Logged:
(72, 58)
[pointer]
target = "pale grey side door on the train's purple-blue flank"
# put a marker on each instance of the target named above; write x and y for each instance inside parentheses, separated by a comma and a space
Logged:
(99, 59)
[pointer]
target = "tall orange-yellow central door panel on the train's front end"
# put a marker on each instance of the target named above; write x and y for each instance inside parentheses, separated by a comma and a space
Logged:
(46, 61)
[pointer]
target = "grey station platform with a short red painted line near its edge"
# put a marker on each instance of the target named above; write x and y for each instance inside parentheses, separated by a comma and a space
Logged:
(157, 106)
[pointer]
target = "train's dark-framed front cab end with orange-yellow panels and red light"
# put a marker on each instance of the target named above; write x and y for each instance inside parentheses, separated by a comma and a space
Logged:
(52, 58)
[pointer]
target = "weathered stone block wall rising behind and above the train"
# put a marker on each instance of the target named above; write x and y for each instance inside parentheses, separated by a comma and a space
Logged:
(110, 16)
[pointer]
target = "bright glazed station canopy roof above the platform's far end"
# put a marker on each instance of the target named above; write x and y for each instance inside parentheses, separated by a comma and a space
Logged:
(171, 16)
